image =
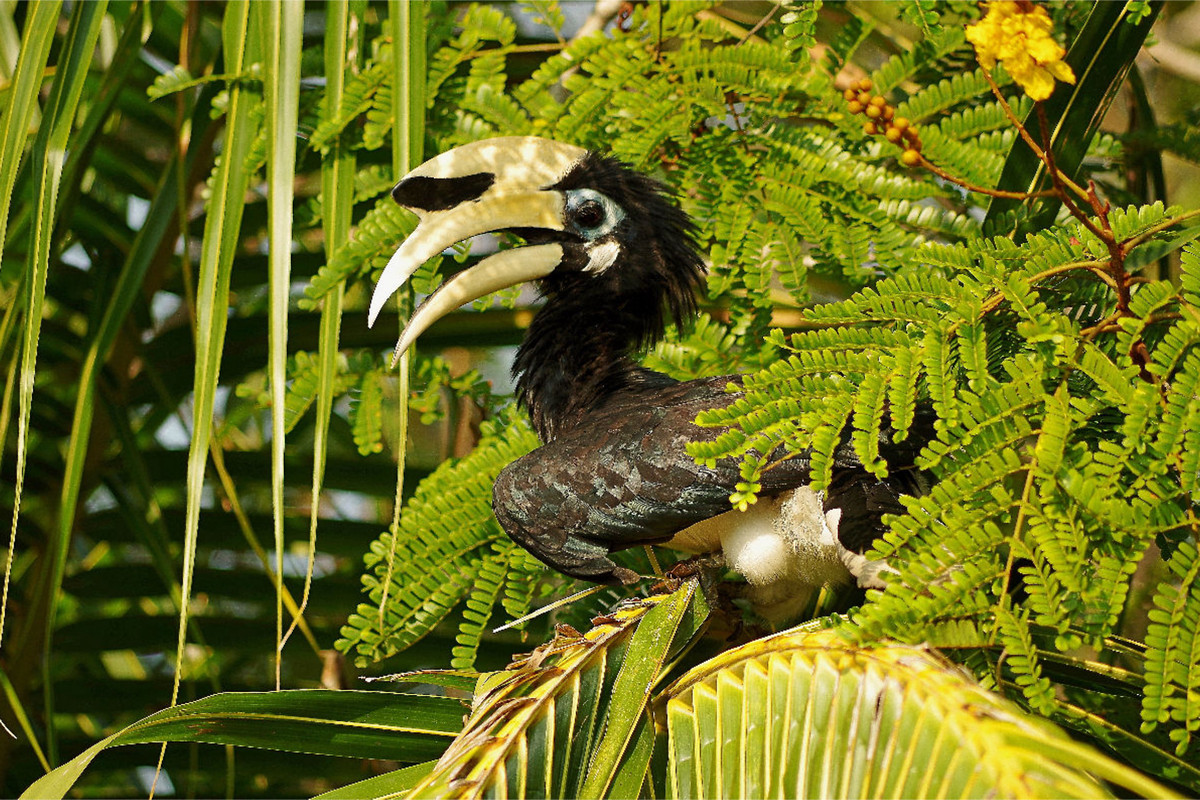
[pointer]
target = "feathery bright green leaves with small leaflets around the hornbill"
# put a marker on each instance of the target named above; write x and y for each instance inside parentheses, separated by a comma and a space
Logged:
(1066, 446)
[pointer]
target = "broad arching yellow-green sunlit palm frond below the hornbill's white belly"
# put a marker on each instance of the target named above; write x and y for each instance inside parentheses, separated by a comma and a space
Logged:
(807, 714)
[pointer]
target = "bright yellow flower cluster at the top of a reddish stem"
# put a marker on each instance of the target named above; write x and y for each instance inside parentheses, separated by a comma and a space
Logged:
(1018, 34)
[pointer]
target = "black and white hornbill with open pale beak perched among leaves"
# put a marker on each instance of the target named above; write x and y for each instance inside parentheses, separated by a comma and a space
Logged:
(616, 260)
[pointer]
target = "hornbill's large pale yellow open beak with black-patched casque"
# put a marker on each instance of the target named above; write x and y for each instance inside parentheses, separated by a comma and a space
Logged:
(481, 188)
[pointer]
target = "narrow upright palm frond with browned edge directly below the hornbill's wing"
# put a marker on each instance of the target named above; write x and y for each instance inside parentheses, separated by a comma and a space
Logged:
(572, 718)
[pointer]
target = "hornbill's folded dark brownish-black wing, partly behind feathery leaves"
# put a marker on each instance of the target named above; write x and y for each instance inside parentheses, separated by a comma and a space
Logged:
(622, 478)
